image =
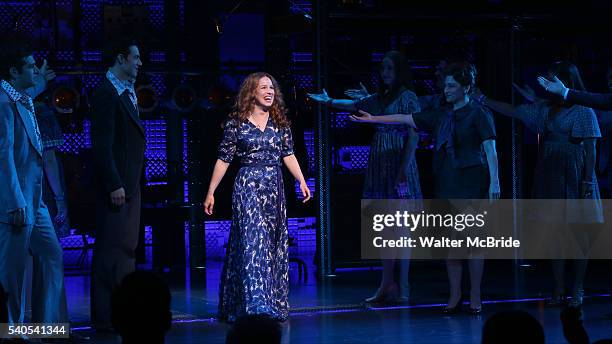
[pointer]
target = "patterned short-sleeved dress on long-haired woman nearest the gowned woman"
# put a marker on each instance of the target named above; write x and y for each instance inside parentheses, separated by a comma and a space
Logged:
(387, 149)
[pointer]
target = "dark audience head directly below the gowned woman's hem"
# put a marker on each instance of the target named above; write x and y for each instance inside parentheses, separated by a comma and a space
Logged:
(254, 328)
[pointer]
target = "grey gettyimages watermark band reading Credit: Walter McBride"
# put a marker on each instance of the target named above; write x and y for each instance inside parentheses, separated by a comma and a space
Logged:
(501, 229)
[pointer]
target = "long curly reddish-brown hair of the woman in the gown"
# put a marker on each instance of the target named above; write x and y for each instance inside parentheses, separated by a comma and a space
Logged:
(245, 100)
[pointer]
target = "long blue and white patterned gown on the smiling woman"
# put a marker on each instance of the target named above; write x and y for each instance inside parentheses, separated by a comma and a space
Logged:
(255, 277)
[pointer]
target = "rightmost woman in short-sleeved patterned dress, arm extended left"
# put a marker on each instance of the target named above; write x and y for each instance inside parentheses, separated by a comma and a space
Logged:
(566, 163)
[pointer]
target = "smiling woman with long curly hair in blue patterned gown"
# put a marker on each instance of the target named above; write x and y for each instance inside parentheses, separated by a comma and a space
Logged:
(255, 276)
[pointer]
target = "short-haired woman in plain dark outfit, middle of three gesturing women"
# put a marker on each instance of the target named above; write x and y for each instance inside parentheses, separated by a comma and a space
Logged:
(465, 162)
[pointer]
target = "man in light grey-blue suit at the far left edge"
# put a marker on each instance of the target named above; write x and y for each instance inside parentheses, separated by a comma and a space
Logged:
(25, 224)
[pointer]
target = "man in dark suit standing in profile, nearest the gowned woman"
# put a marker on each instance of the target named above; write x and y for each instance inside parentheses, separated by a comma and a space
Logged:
(118, 141)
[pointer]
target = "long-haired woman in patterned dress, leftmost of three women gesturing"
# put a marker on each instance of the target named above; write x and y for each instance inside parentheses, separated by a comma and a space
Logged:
(392, 170)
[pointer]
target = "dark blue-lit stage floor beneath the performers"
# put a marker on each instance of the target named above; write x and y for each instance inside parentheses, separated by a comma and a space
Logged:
(330, 310)
